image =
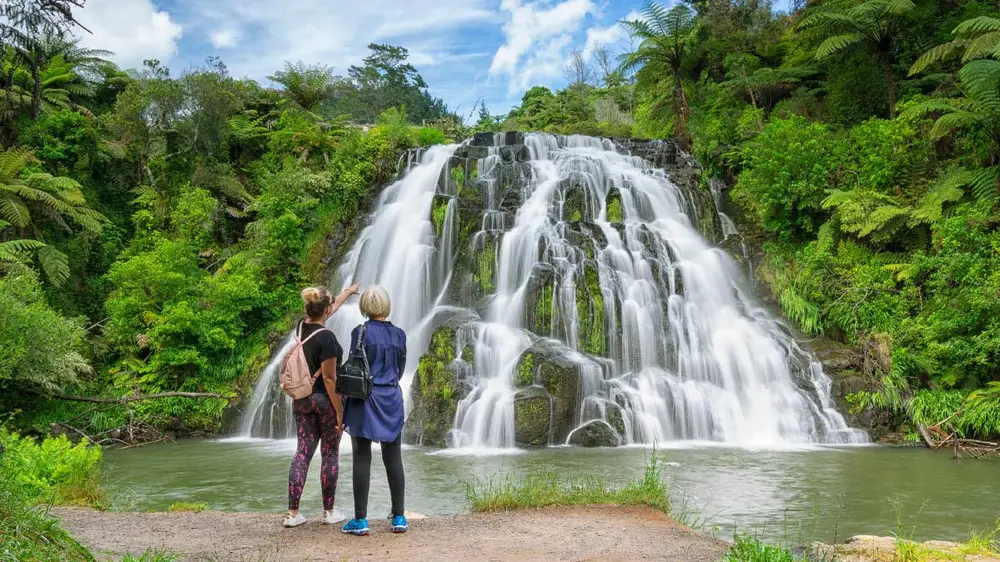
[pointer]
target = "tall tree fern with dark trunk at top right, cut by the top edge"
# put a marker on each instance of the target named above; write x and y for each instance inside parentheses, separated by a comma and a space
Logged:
(875, 24)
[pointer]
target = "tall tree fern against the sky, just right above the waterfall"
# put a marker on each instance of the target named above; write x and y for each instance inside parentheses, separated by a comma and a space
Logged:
(664, 36)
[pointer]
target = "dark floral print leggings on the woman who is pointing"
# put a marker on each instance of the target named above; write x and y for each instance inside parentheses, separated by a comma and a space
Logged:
(315, 421)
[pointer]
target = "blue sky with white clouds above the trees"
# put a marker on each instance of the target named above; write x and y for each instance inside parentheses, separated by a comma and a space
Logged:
(467, 50)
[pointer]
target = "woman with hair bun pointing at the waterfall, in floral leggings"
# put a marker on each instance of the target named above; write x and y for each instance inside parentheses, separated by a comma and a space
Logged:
(320, 416)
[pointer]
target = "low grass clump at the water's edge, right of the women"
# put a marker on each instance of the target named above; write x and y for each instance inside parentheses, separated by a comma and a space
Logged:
(545, 489)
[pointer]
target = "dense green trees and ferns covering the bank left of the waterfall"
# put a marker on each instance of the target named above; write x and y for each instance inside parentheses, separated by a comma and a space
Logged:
(155, 228)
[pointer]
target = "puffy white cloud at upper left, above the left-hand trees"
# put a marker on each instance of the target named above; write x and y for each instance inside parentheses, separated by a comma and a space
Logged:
(133, 29)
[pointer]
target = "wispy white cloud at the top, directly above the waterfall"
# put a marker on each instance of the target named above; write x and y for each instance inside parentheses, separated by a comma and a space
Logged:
(537, 38)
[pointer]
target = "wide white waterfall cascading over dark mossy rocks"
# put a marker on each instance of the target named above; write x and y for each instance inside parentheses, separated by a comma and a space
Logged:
(590, 298)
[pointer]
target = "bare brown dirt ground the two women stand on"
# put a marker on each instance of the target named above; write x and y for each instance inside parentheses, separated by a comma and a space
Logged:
(551, 534)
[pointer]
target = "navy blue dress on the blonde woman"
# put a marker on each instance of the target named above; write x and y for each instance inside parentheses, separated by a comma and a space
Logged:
(380, 418)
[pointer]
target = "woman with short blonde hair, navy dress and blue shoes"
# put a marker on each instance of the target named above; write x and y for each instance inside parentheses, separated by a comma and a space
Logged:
(380, 418)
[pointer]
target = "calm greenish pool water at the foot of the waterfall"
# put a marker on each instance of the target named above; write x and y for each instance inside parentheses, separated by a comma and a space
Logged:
(793, 496)
